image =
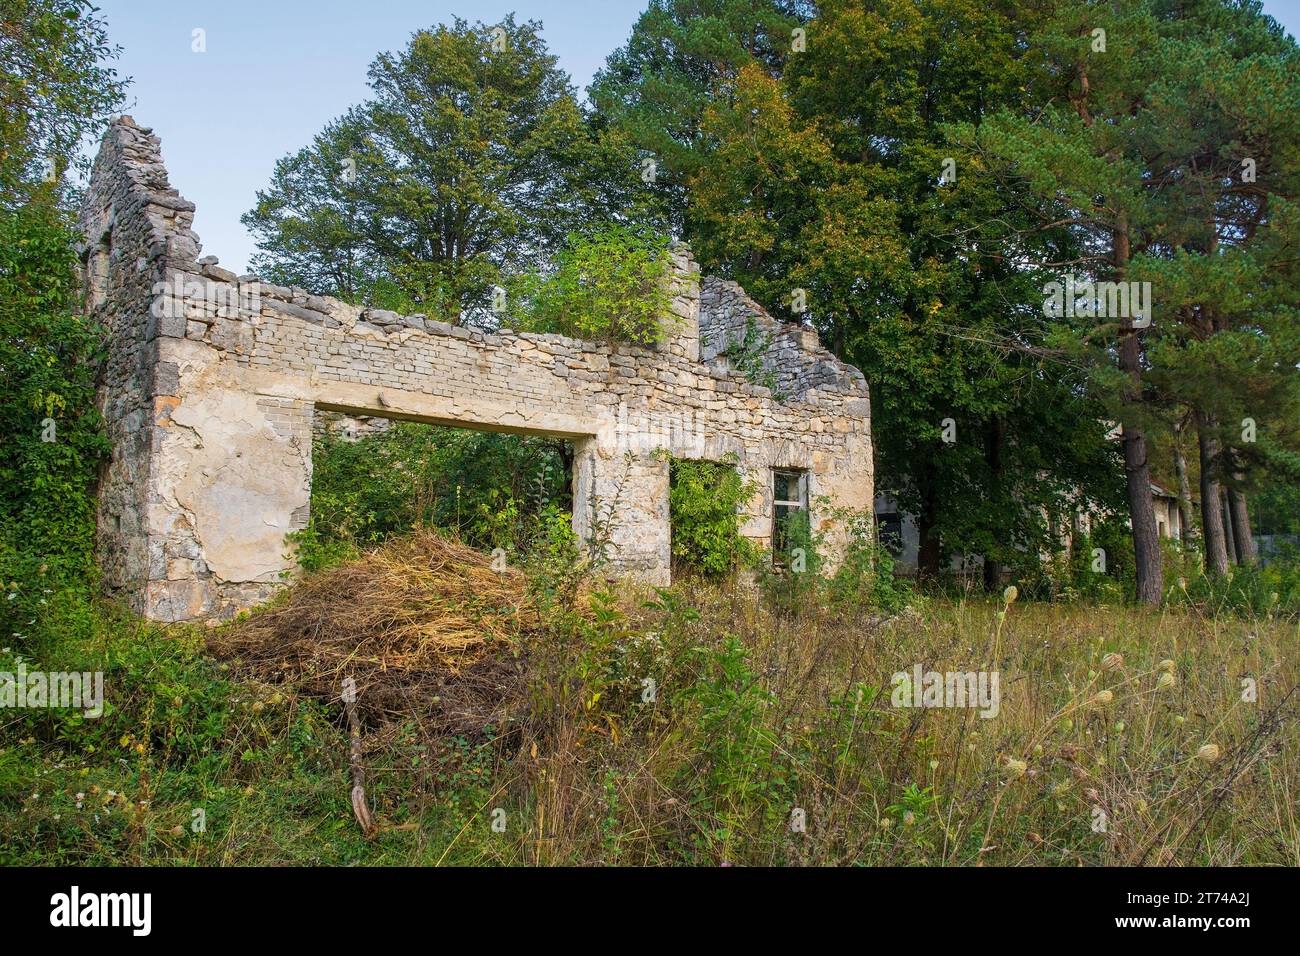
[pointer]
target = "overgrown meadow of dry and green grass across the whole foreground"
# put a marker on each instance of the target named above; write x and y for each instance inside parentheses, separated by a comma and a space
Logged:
(768, 737)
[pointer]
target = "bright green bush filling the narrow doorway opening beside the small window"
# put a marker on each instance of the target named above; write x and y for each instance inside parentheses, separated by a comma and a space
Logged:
(704, 507)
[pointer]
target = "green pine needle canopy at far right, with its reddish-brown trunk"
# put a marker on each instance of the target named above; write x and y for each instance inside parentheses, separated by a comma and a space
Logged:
(1178, 100)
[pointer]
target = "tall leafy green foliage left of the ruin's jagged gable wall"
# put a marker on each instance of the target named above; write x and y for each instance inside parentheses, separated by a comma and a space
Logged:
(55, 88)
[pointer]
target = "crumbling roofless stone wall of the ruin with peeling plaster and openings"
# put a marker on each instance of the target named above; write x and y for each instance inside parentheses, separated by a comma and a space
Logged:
(214, 382)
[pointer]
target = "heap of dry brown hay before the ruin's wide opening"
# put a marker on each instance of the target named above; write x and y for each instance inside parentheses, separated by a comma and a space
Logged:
(424, 626)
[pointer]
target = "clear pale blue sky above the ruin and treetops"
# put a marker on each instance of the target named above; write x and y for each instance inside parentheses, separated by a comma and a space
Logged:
(278, 71)
